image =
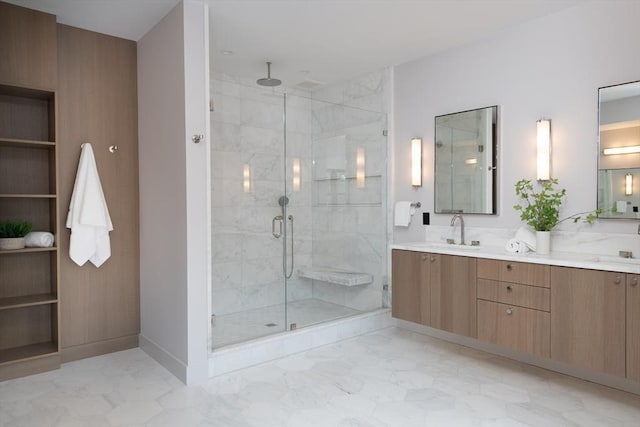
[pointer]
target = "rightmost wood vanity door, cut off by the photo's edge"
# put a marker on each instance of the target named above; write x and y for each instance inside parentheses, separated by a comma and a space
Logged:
(633, 327)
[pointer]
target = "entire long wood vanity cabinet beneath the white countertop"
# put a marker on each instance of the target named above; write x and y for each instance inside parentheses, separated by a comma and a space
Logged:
(584, 318)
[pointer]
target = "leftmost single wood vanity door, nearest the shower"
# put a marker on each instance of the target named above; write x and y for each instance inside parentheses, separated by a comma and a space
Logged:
(410, 286)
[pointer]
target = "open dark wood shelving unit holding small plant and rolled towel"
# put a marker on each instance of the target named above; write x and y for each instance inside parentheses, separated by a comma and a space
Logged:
(29, 309)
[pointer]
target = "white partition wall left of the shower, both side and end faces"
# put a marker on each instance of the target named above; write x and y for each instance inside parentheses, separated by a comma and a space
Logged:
(173, 275)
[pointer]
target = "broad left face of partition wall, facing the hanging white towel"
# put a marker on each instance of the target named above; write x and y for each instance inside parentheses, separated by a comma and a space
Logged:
(163, 242)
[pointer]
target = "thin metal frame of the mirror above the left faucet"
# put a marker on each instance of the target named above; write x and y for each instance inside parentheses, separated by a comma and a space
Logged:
(493, 166)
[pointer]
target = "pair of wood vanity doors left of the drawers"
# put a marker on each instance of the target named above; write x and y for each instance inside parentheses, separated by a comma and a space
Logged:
(435, 290)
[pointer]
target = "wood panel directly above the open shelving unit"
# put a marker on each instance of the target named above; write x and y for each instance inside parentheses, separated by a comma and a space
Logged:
(27, 47)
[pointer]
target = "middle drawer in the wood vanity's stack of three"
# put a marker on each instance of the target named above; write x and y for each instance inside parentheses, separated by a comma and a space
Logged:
(511, 293)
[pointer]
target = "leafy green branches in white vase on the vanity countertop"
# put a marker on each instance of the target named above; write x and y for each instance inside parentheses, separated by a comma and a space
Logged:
(541, 210)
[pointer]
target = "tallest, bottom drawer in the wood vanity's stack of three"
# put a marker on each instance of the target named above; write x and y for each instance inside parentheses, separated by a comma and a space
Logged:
(521, 329)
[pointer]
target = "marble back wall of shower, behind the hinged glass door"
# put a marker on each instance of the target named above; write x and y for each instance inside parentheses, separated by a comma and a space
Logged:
(247, 136)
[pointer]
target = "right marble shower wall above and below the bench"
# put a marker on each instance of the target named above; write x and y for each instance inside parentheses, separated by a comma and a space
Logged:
(350, 214)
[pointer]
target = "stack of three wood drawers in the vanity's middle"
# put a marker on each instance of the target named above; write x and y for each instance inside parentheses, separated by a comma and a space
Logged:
(513, 305)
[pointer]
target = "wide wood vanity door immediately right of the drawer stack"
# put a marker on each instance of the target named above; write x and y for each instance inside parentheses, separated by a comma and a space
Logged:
(588, 319)
